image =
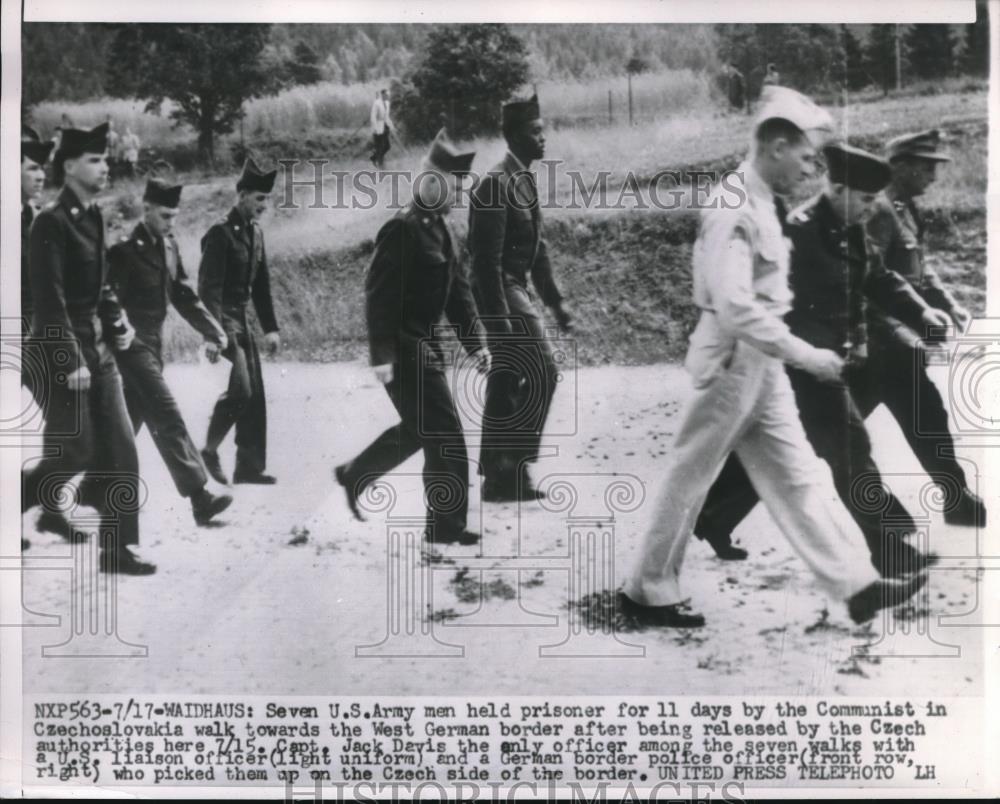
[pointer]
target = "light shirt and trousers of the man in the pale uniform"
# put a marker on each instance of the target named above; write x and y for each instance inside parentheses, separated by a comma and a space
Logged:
(744, 403)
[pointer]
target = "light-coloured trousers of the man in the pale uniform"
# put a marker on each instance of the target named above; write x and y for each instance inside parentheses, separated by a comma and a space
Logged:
(750, 409)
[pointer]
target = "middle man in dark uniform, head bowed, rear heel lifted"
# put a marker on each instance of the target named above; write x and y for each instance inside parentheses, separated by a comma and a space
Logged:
(414, 278)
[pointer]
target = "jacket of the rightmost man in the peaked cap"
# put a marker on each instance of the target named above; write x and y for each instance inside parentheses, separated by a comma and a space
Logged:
(896, 230)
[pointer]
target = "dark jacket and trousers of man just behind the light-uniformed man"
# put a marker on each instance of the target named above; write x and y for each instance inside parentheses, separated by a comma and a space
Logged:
(830, 278)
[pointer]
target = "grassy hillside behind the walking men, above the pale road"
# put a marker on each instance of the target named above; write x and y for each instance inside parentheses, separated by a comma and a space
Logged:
(626, 272)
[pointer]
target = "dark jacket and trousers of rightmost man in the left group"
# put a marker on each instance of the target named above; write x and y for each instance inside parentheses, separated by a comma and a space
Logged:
(234, 272)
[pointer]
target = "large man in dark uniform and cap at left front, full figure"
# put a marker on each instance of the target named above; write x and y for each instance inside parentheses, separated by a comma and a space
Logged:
(87, 428)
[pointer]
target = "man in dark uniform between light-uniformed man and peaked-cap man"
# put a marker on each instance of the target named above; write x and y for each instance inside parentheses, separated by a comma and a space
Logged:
(831, 278)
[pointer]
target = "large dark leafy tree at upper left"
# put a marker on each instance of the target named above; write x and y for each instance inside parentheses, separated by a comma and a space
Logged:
(207, 70)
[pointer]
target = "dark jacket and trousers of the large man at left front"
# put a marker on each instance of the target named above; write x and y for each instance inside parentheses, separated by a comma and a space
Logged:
(87, 431)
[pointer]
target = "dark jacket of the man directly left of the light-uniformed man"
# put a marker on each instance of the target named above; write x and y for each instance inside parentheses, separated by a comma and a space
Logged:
(505, 238)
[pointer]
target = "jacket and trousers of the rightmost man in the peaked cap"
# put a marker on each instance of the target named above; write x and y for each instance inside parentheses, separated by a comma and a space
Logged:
(896, 373)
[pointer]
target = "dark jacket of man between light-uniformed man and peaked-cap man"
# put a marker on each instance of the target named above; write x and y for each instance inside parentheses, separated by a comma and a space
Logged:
(832, 277)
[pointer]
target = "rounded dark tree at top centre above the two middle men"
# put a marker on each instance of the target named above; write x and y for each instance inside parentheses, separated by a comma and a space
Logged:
(465, 75)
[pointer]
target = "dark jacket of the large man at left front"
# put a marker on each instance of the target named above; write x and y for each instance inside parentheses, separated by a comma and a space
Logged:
(68, 280)
